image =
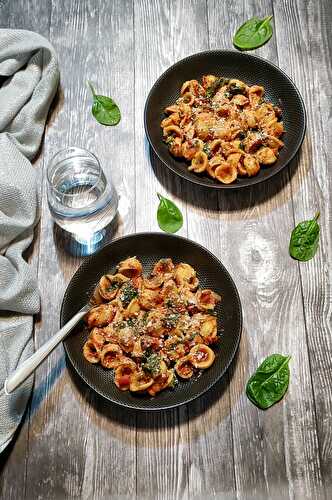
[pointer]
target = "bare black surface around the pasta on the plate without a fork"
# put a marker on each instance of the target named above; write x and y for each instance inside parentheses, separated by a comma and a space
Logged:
(279, 89)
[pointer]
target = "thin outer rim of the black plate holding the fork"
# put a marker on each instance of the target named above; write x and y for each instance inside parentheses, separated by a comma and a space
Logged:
(87, 260)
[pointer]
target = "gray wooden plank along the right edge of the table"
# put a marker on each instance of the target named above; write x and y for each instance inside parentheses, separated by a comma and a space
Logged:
(306, 56)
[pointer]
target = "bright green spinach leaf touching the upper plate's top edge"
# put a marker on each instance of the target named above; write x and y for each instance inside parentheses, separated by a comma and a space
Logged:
(253, 33)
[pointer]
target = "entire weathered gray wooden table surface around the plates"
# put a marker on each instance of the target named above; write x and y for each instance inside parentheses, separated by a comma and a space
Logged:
(71, 443)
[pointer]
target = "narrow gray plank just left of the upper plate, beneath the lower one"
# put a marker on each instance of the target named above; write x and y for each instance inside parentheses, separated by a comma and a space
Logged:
(162, 439)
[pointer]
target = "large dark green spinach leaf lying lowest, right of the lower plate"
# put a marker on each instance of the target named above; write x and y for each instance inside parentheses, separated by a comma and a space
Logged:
(270, 381)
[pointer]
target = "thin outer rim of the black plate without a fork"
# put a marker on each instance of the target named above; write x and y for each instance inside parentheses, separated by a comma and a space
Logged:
(255, 180)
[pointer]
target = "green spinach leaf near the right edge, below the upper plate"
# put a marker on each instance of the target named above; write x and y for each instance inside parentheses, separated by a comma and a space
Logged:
(304, 239)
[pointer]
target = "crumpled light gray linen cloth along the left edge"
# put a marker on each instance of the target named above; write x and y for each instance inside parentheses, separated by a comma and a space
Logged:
(30, 76)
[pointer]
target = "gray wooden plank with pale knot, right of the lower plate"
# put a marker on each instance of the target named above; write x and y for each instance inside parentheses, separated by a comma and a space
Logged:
(273, 455)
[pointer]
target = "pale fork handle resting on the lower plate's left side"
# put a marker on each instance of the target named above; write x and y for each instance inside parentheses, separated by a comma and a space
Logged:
(25, 369)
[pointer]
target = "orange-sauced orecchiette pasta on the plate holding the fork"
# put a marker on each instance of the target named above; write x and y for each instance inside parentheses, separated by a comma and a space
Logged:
(151, 329)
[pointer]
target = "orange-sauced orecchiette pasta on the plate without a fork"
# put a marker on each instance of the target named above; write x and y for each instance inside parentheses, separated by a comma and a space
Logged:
(224, 128)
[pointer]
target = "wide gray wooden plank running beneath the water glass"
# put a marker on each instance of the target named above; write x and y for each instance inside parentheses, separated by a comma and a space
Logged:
(79, 447)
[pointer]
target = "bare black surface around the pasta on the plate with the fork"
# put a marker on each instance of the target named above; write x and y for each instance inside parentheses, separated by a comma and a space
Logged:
(150, 247)
